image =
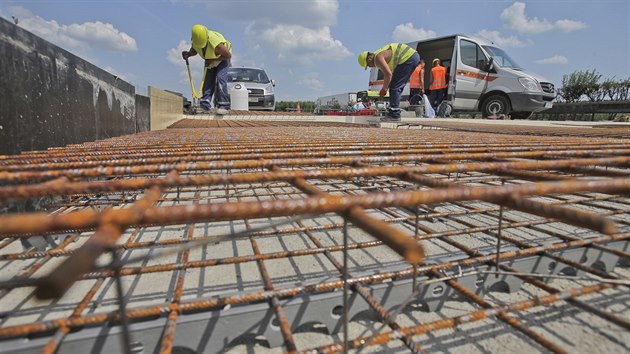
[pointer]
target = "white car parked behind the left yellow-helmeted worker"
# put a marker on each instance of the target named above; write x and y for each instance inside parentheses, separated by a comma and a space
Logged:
(259, 87)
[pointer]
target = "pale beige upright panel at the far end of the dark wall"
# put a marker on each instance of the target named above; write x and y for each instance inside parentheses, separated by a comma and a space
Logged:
(166, 108)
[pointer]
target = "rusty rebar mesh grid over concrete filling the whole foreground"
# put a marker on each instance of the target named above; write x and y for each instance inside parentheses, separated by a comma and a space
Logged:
(388, 239)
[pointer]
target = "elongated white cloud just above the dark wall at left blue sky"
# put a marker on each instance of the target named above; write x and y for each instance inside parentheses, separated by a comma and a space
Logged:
(75, 36)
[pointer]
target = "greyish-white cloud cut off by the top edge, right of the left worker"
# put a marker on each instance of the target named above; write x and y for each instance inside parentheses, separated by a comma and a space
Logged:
(307, 13)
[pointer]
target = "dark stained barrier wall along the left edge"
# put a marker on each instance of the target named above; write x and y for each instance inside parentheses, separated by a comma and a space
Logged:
(50, 97)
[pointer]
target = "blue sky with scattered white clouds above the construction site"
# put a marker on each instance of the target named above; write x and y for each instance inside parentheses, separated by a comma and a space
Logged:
(310, 46)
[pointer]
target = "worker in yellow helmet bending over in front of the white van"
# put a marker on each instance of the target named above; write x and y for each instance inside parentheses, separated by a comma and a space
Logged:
(397, 61)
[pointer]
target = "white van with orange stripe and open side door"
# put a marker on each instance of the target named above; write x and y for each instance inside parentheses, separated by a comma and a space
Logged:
(481, 77)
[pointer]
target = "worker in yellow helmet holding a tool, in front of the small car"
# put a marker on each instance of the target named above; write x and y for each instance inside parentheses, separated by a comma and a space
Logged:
(217, 52)
